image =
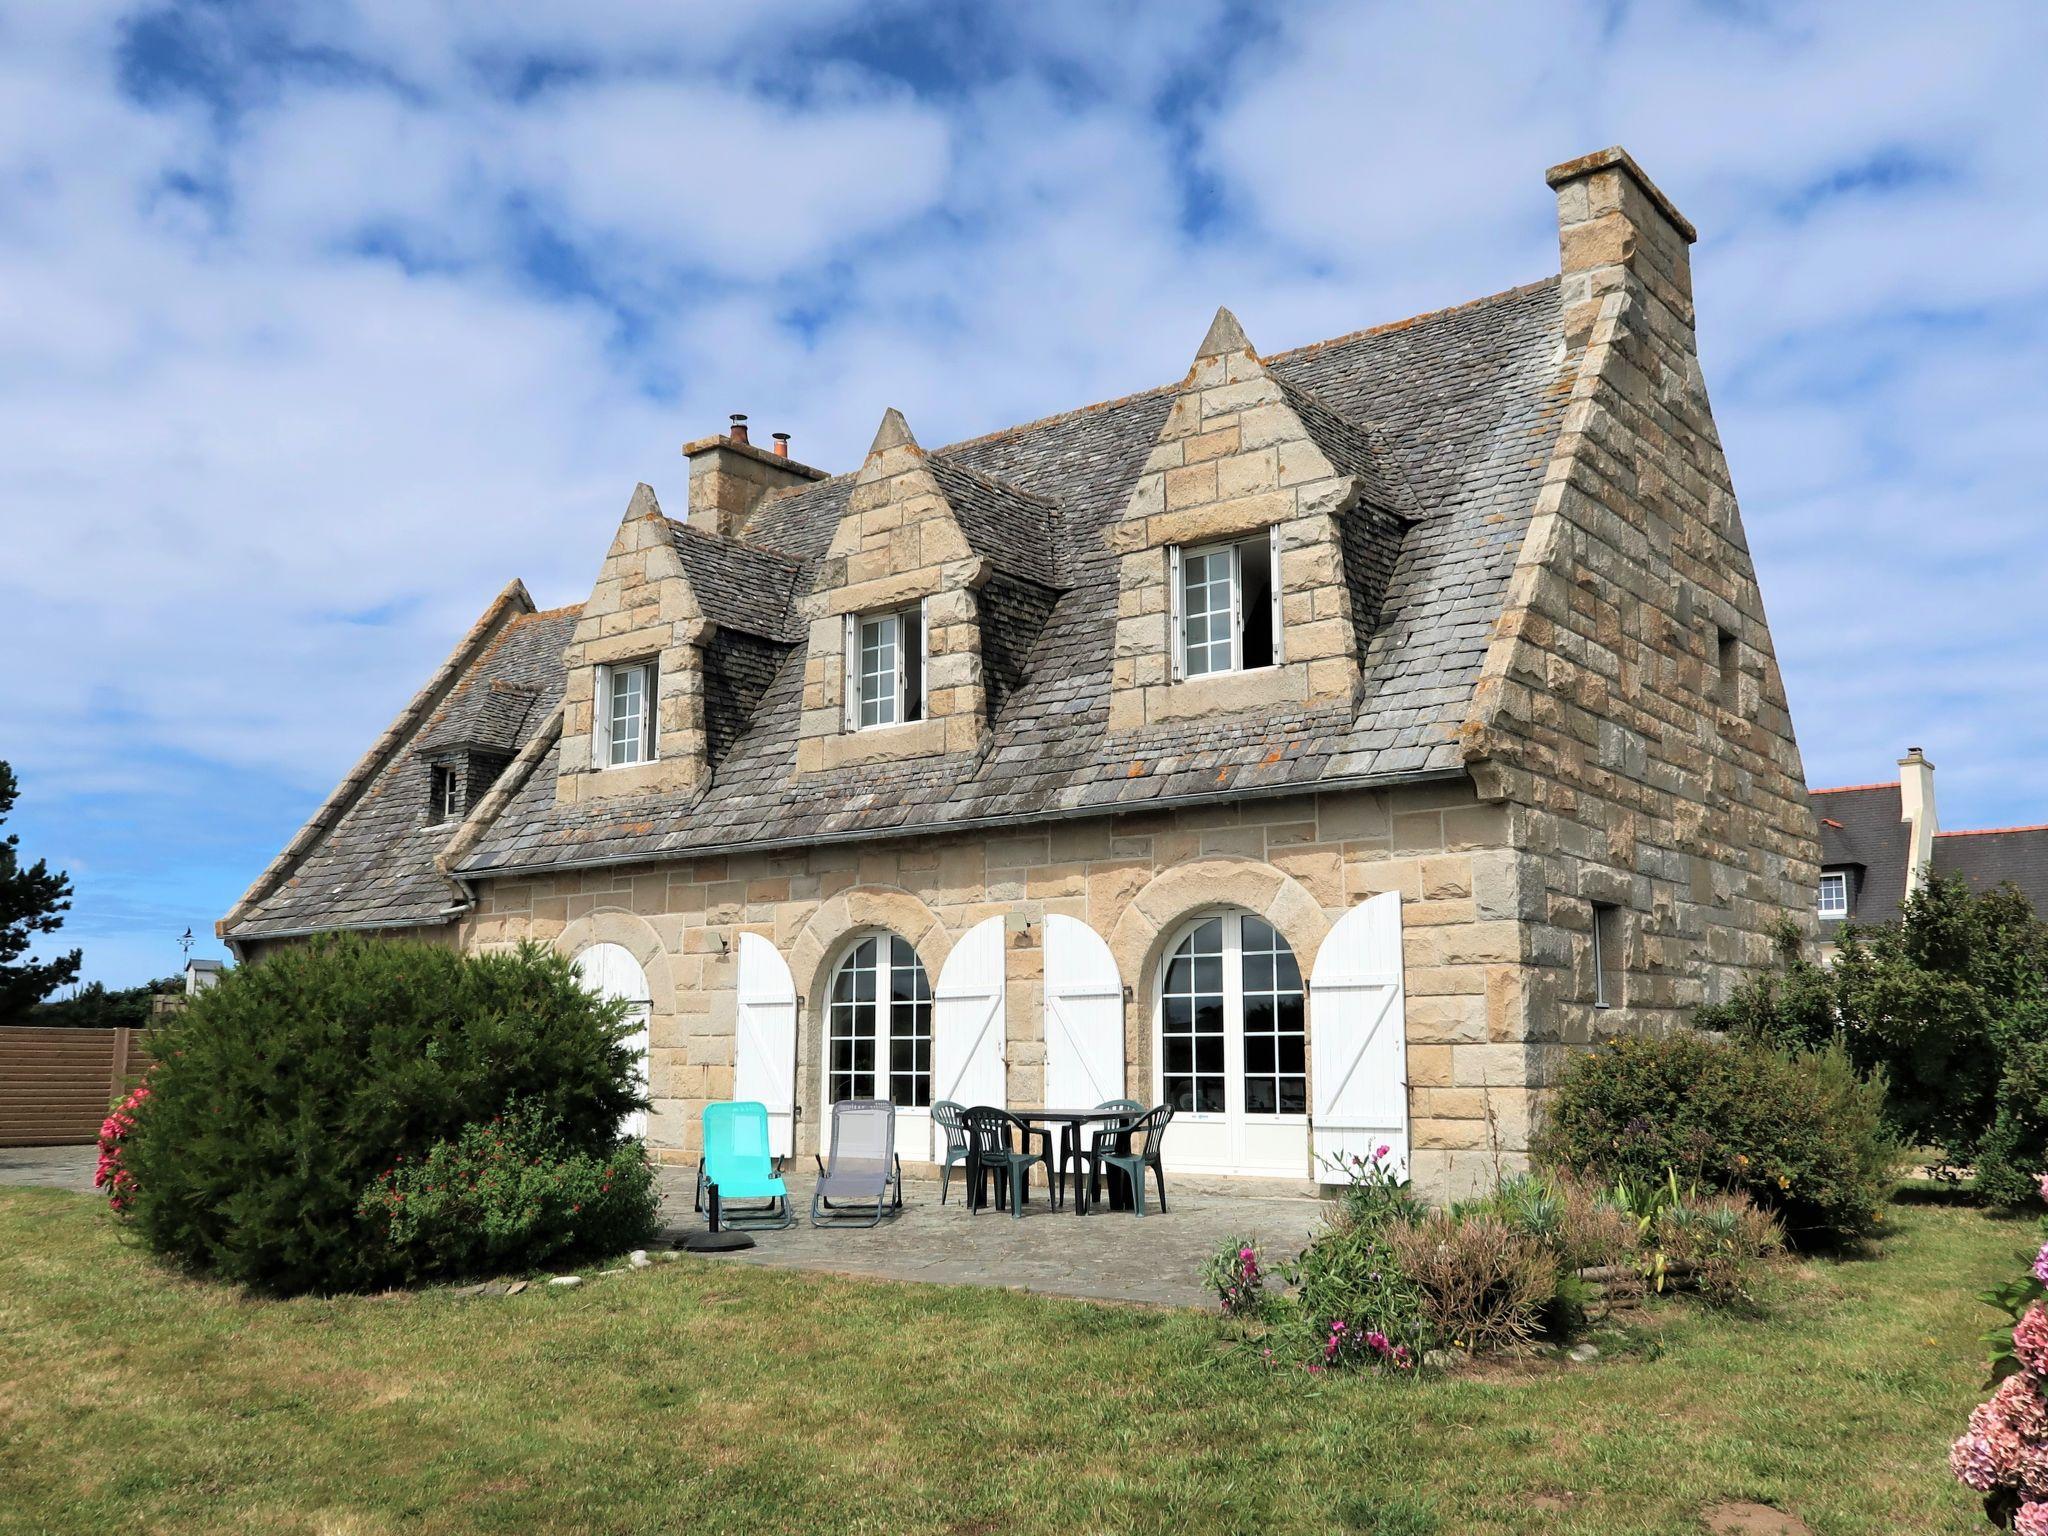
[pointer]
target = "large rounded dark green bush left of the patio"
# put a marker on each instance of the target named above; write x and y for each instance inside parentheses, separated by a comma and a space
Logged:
(290, 1089)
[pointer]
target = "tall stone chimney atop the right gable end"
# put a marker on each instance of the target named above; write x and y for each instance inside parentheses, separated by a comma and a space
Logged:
(1613, 226)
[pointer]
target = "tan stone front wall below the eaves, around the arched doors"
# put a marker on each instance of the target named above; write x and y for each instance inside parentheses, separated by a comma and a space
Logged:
(1136, 880)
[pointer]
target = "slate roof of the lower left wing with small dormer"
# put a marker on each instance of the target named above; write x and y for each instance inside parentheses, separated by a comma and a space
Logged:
(376, 867)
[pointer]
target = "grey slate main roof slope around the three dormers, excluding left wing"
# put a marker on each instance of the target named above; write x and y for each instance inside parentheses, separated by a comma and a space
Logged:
(1449, 417)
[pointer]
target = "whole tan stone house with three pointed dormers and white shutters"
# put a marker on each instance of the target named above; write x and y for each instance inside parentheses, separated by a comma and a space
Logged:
(1322, 742)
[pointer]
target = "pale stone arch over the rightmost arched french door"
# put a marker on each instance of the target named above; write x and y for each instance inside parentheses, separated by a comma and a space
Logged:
(1164, 906)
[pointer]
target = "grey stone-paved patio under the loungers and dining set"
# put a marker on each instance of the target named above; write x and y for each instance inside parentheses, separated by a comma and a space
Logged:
(1103, 1256)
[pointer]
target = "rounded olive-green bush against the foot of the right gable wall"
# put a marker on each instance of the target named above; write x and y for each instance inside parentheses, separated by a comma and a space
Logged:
(1797, 1132)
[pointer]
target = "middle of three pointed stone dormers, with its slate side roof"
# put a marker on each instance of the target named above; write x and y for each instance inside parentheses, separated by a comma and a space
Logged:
(896, 663)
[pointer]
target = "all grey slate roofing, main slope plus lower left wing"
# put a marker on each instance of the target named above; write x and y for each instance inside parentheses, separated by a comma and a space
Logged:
(1447, 419)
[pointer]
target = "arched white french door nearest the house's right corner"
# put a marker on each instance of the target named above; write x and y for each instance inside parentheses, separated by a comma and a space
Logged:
(1232, 1046)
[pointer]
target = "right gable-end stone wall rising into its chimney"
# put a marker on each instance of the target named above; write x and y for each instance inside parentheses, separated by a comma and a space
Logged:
(1631, 712)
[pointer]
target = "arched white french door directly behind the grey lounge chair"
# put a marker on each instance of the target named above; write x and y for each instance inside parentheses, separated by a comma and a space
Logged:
(880, 1035)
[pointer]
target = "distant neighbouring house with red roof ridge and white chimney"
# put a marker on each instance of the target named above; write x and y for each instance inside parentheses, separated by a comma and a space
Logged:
(1879, 843)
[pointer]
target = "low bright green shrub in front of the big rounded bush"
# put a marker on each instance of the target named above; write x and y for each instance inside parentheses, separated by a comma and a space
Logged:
(509, 1195)
